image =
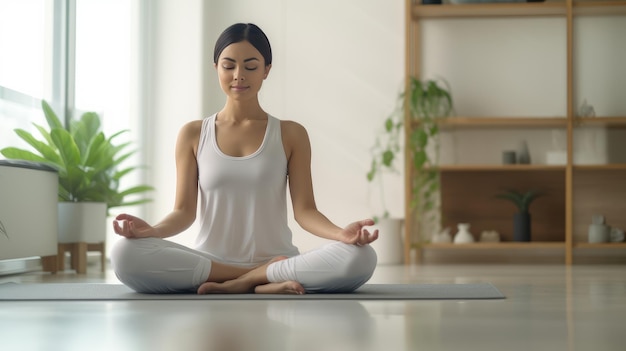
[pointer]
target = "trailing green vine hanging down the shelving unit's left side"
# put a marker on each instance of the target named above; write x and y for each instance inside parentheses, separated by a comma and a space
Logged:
(426, 103)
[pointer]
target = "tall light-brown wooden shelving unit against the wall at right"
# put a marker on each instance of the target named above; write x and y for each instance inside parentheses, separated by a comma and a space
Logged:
(562, 217)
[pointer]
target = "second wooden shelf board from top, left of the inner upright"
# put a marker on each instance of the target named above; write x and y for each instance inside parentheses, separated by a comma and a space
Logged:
(467, 122)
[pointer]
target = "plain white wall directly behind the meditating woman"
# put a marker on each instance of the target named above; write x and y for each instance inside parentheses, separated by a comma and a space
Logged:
(338, 67)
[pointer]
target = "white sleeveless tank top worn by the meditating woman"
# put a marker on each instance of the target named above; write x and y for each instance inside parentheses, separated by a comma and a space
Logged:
(243, 204)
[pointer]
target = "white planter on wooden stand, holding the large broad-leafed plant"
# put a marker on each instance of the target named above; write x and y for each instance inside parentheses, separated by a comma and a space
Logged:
(82, 222)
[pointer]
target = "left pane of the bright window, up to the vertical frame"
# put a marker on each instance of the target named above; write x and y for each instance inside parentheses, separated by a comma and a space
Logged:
(31, 63)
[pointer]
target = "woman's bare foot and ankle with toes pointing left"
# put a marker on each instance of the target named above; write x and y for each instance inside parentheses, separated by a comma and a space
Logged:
(242, 285)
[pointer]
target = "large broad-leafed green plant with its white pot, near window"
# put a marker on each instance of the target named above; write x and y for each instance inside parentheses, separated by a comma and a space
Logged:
(88, 165)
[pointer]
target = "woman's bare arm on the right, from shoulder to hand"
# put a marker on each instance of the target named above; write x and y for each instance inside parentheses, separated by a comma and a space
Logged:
(298, 150)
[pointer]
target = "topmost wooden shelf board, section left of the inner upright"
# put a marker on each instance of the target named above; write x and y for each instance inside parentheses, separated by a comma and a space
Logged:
(489, 10)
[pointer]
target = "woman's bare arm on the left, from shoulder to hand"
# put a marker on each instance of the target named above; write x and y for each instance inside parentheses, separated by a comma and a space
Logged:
(184, 212)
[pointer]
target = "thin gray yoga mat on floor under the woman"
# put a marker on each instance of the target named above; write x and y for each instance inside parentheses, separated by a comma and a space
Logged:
(108, 292)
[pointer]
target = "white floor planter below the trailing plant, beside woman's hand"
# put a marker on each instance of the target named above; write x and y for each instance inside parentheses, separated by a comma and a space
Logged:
(388, 247)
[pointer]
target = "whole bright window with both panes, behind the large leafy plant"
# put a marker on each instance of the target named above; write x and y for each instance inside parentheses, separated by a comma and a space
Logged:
(75, 54)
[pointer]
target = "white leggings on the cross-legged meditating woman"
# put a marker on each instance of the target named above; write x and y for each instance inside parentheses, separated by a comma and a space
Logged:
(153, 265)
